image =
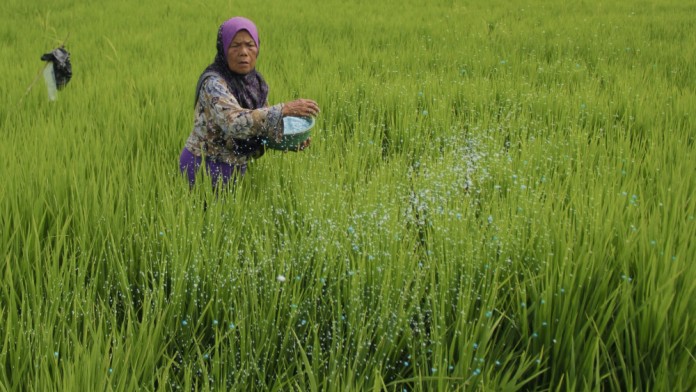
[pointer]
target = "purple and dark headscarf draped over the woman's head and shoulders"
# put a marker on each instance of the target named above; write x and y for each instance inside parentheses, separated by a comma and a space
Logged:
(250, 90)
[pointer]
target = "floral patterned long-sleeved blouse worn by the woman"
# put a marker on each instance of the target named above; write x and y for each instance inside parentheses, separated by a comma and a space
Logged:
(222, 127)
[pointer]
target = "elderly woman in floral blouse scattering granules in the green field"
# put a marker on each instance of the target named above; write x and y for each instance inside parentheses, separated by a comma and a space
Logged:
(232, 115)
